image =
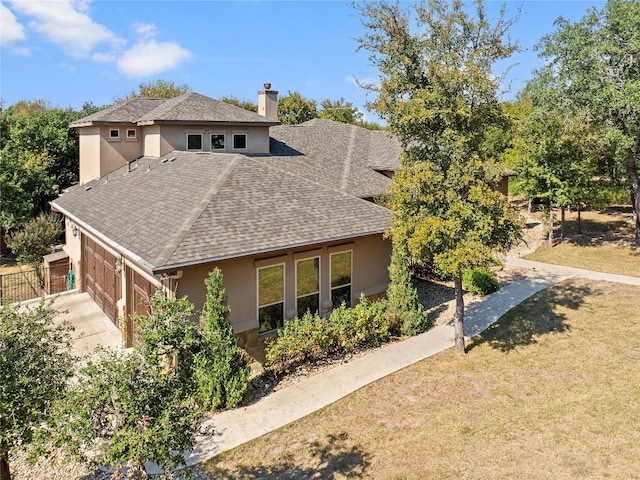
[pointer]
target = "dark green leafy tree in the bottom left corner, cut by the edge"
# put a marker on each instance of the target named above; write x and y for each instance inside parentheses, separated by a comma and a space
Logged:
(36, 365)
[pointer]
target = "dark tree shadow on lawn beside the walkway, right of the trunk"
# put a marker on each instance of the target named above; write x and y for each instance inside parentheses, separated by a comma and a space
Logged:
(539, 315)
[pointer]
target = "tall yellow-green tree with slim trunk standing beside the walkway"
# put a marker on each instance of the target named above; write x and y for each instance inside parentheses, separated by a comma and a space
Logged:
(437, 93)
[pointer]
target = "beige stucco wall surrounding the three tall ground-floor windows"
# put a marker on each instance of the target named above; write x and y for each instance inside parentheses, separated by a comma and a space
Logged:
(370, 276)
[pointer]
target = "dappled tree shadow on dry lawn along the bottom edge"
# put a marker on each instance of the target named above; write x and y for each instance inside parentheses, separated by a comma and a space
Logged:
(331, 458)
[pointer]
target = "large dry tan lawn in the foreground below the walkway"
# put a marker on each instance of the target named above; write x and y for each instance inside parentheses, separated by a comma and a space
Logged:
(552, 390)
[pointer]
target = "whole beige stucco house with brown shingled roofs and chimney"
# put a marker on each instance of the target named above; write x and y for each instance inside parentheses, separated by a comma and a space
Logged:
(170, 189)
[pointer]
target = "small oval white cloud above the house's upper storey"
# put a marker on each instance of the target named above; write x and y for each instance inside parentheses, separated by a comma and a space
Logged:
(151, 58)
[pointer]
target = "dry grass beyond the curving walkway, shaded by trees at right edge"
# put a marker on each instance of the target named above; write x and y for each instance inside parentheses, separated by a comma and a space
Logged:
(604, 244)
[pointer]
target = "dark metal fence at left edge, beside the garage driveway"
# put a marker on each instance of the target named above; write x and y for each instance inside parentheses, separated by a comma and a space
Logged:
(31, 283)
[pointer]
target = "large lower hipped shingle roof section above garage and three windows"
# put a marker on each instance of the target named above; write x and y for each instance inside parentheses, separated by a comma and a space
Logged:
(204, 207)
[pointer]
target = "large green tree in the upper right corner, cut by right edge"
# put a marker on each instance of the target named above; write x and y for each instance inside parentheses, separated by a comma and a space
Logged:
(592, 69)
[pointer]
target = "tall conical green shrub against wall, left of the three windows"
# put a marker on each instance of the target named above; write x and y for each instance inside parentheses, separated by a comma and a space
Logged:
(222, 368)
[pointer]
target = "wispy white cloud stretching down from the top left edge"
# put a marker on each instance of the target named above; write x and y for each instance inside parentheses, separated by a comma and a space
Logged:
(67, 24)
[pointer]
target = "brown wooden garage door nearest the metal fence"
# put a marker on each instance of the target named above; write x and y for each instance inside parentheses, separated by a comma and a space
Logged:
(101, 280)
